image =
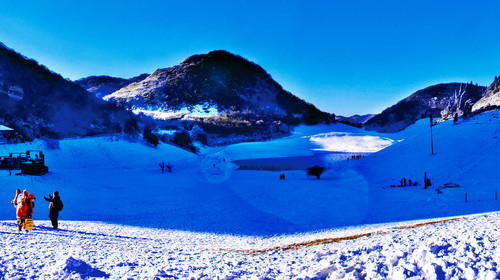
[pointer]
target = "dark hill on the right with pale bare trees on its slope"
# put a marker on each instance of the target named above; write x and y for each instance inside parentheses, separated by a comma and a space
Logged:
(442, 101)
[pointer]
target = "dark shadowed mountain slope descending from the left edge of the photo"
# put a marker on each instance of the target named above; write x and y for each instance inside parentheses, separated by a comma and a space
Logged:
(37, 102)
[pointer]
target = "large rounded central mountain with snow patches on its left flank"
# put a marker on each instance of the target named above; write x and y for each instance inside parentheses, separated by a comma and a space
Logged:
(222, 81)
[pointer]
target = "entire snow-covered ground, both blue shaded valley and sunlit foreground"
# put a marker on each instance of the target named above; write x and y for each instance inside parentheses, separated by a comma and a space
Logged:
(200, 220)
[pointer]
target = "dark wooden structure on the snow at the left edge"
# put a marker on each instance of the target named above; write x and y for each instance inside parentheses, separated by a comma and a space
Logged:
(30, 163)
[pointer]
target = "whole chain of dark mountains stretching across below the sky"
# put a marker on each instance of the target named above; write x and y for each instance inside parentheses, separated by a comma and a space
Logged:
(233, 94)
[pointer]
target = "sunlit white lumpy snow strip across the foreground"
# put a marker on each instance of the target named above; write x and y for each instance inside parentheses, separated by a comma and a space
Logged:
(458, 248)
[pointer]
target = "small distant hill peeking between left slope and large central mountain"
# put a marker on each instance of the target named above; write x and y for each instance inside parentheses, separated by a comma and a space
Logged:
(105, 85)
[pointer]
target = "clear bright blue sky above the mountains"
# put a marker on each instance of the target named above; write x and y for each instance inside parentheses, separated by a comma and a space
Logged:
(345, 57)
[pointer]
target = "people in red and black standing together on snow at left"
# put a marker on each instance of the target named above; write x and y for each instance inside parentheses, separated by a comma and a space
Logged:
(24, 204)
